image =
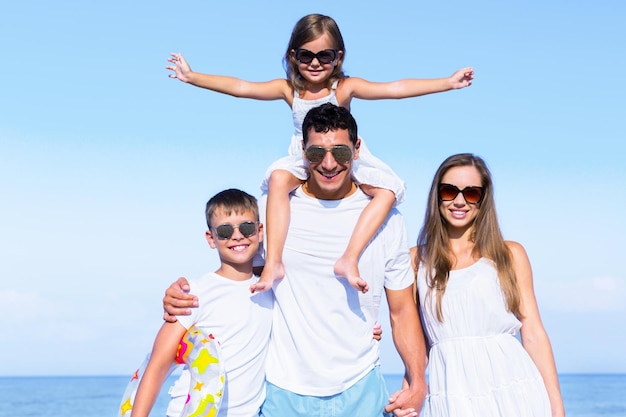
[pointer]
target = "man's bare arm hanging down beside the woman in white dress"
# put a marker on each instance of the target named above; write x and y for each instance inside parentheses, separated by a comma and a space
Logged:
(408, 338)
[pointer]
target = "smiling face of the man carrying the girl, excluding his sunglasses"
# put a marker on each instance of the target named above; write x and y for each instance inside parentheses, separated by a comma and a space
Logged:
(329, 179)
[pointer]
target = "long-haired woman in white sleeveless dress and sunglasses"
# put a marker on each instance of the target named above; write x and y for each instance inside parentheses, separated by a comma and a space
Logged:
(475, 292)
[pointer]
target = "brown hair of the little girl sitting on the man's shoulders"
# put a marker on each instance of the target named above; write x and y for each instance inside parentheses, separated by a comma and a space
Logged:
(307, 29)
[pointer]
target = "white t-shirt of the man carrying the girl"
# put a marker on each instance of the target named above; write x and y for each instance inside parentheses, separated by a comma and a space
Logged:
(321, 340)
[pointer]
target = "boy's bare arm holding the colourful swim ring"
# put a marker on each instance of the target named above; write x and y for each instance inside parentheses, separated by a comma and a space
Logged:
(161, 359)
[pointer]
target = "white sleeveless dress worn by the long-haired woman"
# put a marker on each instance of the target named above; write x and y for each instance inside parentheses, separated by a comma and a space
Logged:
(477, 366)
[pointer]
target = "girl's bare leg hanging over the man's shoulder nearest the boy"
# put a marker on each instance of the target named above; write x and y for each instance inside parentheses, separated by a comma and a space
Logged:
(277, 215)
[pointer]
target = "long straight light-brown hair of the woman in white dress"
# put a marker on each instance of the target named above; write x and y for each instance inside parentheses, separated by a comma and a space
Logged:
(433, 253)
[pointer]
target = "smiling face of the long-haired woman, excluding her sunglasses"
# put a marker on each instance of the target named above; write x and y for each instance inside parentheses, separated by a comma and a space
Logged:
(458, 214)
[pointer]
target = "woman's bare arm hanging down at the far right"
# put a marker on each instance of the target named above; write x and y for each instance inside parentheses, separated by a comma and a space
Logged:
(534, 336)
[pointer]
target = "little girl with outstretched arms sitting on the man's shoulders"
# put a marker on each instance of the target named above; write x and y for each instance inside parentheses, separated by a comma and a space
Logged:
(313, 63)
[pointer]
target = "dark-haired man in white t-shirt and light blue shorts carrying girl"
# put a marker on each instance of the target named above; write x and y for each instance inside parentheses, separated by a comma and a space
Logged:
(322, 359)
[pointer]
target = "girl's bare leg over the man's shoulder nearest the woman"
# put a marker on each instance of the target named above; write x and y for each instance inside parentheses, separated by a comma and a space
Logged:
(366, 227)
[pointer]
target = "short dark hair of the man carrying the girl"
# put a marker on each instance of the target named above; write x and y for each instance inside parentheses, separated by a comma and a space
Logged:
(329, 117)
